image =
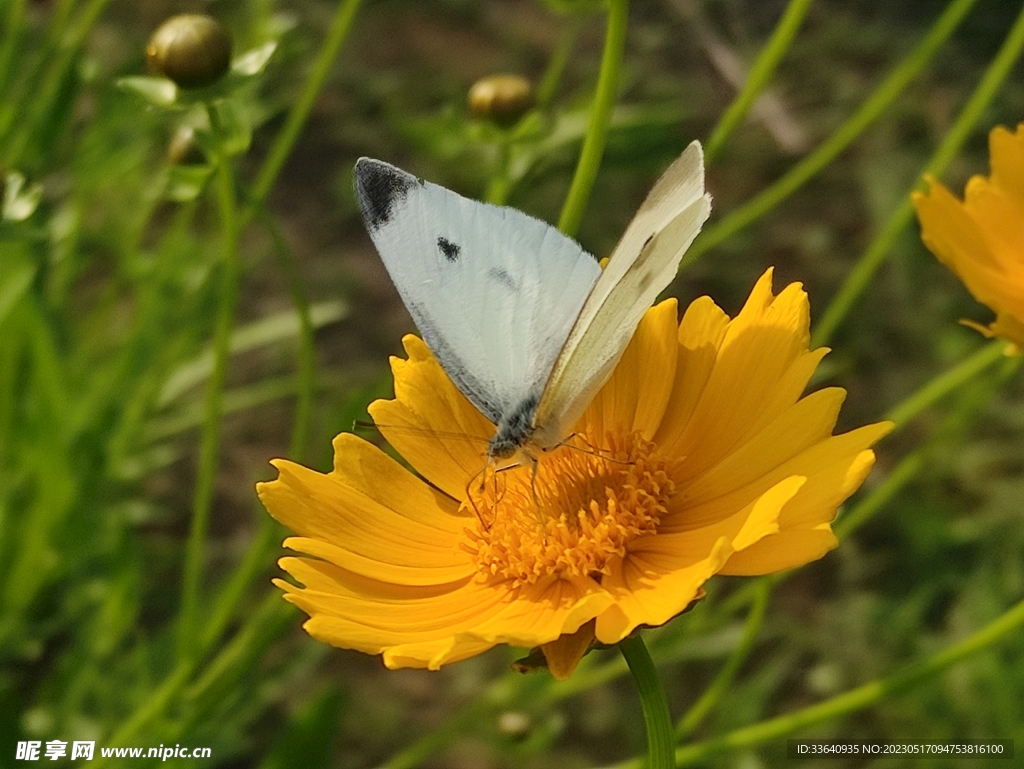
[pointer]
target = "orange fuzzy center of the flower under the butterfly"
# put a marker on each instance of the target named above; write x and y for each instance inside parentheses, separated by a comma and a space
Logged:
(572, 519)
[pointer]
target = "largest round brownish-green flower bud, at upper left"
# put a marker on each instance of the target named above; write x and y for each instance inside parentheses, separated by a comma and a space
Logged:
(191, 50)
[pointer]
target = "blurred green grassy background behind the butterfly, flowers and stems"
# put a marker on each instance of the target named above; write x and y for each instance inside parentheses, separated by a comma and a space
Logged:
(111, 270)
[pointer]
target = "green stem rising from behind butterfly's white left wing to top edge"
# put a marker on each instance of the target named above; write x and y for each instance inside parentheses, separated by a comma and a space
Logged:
(601, 118)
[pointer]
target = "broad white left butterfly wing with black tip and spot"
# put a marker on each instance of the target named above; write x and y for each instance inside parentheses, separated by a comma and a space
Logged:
(493, 291)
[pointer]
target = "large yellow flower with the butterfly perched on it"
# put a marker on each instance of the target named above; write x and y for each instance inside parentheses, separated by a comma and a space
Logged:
(699, 457)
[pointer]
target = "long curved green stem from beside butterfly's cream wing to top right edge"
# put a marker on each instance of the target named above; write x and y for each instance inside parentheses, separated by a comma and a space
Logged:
(850, 131)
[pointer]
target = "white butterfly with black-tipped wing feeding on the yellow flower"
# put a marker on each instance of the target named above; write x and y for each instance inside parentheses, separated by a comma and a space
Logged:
(522, 319)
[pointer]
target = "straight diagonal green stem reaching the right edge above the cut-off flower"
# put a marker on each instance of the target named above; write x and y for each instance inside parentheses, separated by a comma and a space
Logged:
(861, 277)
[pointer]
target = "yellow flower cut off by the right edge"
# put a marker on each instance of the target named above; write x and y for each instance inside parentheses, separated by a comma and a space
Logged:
(983, 239)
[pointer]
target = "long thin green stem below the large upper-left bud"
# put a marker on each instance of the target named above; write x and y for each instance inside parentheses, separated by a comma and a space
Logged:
(210, 446)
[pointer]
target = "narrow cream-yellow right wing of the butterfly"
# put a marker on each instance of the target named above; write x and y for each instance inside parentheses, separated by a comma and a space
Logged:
(644, 264)
